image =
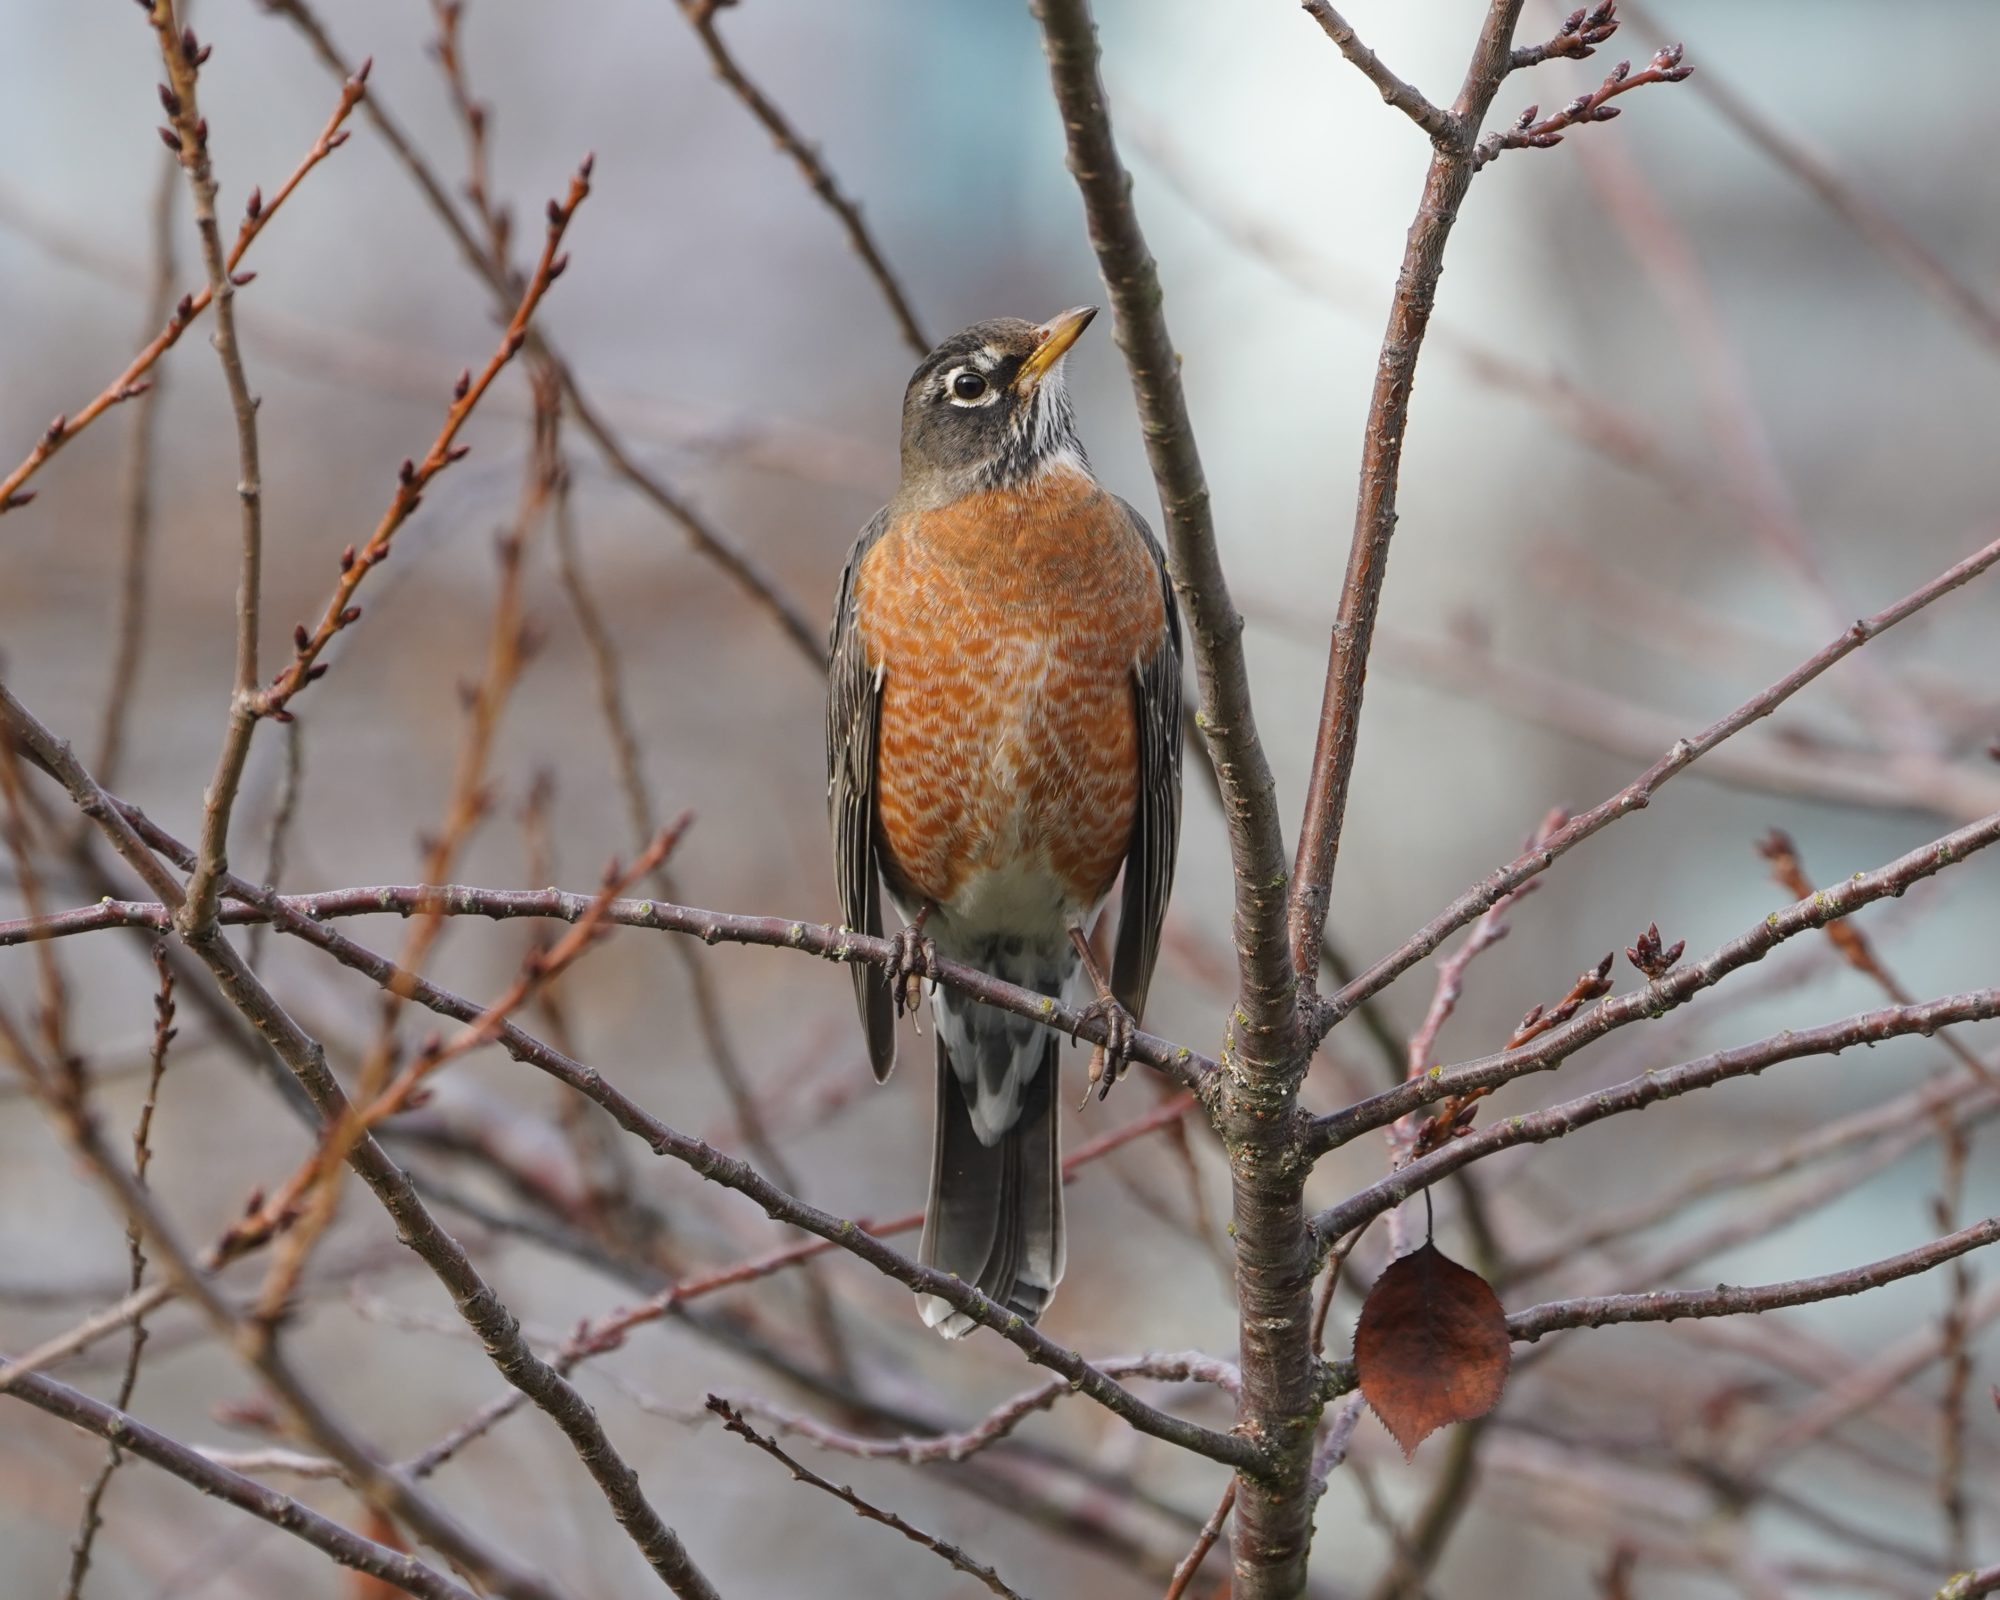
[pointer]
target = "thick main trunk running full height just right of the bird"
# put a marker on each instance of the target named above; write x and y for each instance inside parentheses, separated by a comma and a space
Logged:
(1257, 1107)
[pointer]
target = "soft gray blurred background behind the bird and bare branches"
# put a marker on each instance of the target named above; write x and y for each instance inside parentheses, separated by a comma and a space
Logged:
(1681, 423)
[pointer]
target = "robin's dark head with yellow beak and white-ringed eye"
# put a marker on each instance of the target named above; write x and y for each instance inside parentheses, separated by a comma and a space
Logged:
(989, 407)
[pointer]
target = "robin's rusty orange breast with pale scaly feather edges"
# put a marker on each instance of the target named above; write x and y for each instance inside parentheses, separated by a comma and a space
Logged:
(1007, 629)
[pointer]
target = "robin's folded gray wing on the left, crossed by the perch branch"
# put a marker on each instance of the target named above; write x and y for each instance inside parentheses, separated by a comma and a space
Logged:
(853, 711)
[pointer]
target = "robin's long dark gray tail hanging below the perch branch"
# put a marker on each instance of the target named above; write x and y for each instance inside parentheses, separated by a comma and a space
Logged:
(995, 1215)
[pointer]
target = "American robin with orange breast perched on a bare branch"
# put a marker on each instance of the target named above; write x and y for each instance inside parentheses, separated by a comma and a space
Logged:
(1003, 739)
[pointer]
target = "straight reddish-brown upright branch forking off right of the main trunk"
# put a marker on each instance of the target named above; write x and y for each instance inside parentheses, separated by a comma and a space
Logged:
(1375, 511)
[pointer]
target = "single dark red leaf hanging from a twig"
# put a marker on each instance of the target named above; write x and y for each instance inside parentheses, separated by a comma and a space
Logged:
(1431, 1347)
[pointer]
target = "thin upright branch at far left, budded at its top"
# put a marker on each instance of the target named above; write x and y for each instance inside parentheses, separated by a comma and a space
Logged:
(189, 139)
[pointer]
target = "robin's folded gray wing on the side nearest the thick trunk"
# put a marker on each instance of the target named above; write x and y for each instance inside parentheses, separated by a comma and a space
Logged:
(1149, 873)
